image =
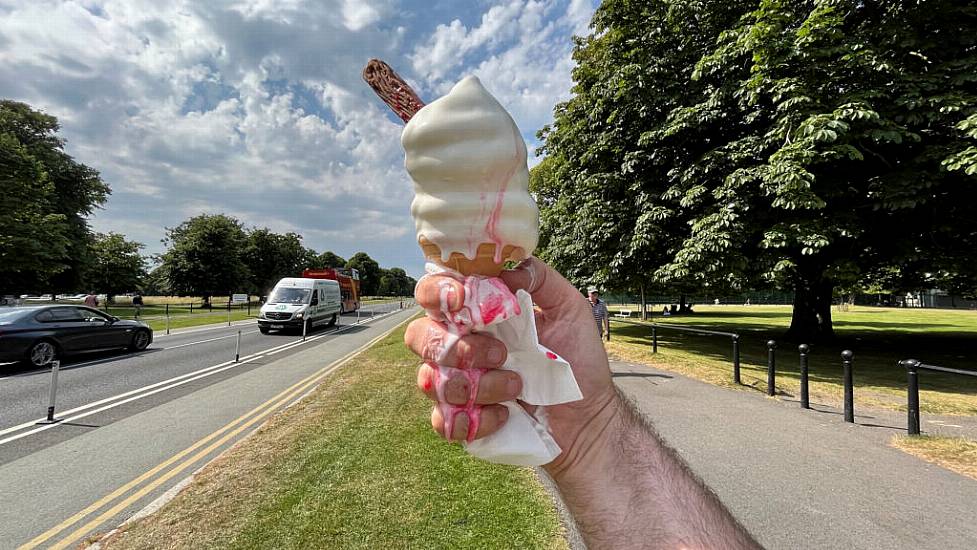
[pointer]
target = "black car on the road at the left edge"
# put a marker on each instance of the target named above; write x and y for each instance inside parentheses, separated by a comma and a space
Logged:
(40, 334)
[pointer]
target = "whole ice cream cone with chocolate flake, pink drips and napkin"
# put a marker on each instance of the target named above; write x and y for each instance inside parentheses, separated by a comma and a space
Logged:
(473, 212)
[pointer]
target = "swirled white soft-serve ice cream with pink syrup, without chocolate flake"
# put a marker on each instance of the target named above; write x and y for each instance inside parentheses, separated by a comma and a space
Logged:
(468, 163)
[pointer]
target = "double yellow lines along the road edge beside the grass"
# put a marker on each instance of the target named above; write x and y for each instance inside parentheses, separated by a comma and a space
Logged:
(269, 405)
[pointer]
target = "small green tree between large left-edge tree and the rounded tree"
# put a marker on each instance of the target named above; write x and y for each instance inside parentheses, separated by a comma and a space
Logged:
(116, 265)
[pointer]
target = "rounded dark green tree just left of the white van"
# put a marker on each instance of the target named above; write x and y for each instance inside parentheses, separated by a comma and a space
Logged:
(205, 257)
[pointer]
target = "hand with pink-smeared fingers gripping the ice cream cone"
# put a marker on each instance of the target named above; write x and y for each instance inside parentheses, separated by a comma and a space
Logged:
(564, 322)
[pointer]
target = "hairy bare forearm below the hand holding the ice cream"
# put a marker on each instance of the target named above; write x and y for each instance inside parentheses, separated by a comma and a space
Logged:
(626, 489)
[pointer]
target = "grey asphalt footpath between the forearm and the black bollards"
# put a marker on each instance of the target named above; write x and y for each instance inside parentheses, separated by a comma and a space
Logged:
(804, 479)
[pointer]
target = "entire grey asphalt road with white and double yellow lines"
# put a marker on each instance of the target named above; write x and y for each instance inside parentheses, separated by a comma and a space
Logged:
(97, 468)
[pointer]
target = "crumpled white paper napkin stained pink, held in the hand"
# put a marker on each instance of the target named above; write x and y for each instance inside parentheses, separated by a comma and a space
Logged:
(524, 440)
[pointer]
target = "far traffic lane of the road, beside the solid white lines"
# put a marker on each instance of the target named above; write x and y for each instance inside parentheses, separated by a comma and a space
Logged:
(181, 362)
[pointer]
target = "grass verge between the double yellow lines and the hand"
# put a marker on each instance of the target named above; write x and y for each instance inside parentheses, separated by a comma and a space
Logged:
(354, 465)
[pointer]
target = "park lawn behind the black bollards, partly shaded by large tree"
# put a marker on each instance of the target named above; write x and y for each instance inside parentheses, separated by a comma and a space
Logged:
(879, 338)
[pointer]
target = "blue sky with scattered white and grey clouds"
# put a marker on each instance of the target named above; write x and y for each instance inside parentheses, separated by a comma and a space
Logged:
(256, 108)
